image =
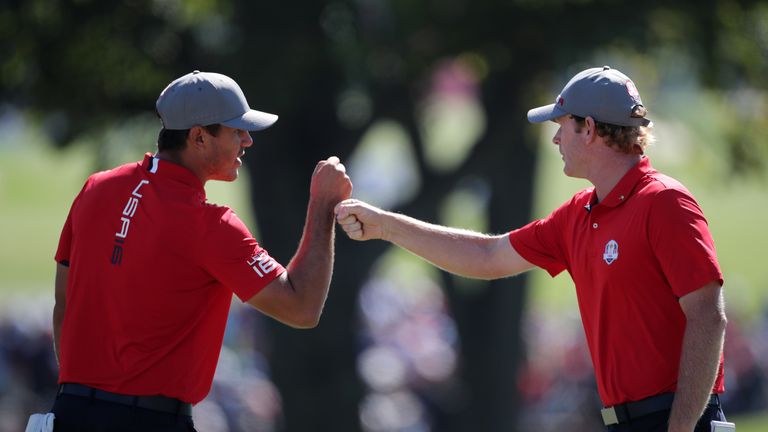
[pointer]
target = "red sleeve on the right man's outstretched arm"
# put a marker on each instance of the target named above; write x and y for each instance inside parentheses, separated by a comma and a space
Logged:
(540, 242)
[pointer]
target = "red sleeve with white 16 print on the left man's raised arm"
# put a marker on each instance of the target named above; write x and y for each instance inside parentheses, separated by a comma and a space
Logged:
(232, 256)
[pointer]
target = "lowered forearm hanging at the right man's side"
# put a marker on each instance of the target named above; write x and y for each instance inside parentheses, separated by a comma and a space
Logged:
(702, 346)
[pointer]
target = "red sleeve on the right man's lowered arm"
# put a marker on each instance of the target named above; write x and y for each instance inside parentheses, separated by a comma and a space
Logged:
(679, 235)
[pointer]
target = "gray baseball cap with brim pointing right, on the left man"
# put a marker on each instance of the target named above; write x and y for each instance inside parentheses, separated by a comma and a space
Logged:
(205, 98)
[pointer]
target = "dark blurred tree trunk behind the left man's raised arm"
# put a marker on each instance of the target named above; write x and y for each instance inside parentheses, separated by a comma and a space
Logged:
(315, 370)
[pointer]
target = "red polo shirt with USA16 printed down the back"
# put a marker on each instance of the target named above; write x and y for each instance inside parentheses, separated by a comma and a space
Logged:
(152, 269)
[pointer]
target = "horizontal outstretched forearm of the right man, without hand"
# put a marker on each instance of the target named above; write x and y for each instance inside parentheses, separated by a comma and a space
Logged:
(458, 251)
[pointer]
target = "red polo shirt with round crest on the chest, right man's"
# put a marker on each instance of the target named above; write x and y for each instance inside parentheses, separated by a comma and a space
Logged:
(632, 256)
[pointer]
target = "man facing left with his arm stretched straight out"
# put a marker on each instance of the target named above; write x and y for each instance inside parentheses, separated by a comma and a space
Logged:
(636, 245)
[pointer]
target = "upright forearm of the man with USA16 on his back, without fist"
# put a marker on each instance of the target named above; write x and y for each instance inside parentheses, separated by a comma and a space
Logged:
(311, 268)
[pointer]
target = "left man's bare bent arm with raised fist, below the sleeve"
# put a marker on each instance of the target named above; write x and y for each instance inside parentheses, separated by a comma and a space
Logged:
(296, 298)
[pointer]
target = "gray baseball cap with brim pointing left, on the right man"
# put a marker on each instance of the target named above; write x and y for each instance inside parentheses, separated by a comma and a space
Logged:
(605, 94)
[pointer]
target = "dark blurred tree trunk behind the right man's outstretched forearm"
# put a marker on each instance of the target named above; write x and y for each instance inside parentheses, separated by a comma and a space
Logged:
(489, 314)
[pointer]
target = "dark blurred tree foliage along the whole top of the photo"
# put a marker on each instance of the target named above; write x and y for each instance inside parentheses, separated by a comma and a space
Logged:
(80, 64)
